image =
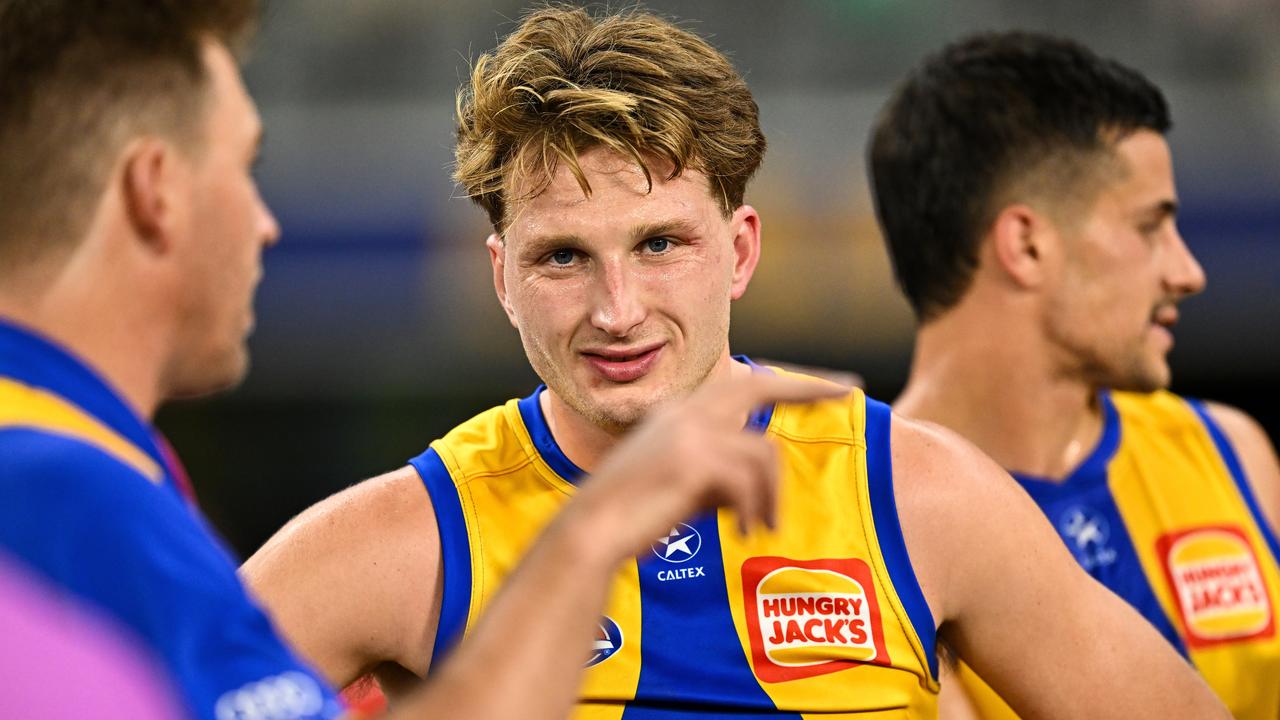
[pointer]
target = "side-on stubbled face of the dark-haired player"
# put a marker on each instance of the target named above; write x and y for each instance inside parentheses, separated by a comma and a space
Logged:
(1114, 306)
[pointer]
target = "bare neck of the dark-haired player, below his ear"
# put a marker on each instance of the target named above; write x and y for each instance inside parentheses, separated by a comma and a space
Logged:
(1007, 398)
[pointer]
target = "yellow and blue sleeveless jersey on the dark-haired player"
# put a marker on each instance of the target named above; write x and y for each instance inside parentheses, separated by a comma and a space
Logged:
(1163, 516)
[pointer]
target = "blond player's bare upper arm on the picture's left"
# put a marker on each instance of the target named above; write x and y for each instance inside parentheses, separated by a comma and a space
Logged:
(355, 581)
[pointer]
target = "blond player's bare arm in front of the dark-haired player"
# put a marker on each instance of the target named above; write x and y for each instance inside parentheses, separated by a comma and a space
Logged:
(1049, 639)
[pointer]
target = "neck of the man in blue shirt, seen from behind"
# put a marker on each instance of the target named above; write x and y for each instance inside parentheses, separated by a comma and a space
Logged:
(98, 316)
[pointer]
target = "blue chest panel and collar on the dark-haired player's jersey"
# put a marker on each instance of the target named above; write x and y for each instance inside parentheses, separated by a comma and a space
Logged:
(1107, 552)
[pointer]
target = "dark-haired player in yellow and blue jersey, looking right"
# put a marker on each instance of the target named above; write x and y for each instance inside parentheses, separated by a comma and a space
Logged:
(1027, 198)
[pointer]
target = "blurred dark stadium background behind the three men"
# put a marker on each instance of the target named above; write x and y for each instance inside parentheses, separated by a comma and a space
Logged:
(378, 330)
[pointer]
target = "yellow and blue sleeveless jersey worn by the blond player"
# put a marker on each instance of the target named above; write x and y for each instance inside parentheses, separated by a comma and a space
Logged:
(820, 619)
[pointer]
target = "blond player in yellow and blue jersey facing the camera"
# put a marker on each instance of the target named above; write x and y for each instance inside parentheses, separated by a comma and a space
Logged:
(612, 153)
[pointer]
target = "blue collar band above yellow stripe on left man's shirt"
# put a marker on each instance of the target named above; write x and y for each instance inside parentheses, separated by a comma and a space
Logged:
(36, 362)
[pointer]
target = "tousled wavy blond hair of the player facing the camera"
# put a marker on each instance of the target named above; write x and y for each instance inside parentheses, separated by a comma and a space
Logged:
(568, 81)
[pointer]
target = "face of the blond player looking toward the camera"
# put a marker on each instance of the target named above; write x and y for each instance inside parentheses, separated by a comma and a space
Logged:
(623, 299)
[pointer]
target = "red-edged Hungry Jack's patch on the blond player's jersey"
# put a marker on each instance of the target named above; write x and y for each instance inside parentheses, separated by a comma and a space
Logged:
(810, 618)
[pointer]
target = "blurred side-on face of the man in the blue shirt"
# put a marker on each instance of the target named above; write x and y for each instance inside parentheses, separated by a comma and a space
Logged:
(230, 227)
